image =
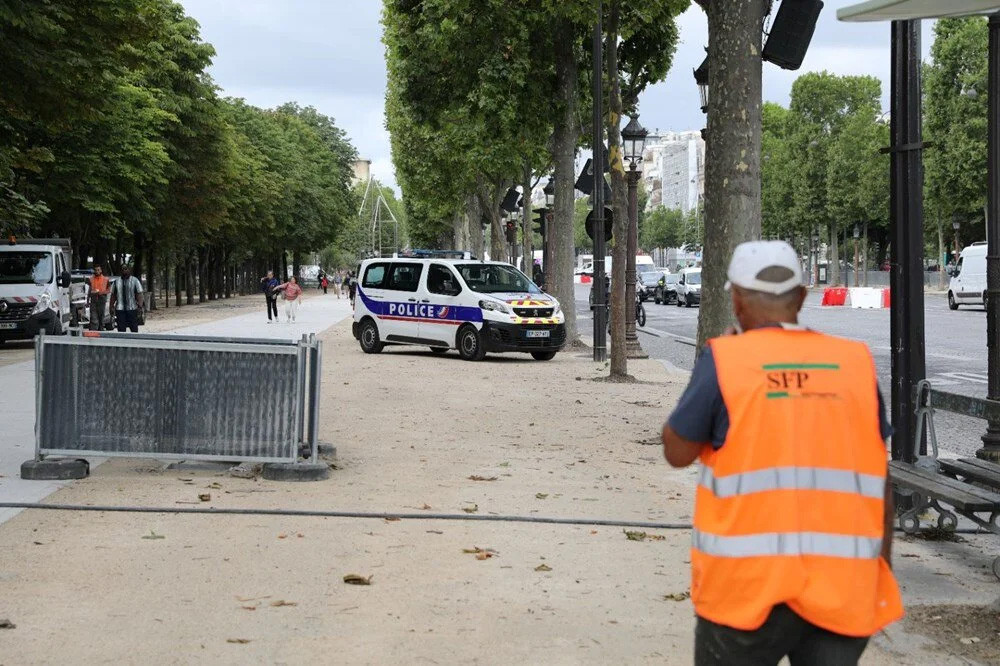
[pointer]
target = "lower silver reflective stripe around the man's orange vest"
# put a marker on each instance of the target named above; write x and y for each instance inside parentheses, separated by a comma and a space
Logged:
(787, 543)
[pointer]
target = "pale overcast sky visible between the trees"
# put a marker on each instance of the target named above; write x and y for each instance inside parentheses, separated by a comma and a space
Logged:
(329, 54)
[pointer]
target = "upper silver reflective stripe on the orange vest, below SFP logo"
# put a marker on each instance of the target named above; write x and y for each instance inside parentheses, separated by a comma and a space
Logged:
(792, 478)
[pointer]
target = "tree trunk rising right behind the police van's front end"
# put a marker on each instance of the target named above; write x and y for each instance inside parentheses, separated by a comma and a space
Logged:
(566, 130)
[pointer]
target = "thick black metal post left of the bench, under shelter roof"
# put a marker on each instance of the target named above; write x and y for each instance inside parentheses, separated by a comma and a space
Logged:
(906, 231)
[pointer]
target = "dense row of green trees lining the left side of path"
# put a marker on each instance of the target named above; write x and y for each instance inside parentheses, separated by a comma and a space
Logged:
(113, 134)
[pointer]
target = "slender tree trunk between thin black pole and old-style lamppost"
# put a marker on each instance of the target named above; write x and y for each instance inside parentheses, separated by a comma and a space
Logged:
(619, 201)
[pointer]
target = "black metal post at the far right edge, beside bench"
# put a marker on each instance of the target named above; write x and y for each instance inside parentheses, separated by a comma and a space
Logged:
(991, 440)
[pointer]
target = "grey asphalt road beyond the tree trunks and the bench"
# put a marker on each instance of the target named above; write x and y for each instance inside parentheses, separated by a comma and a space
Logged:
(955, 343)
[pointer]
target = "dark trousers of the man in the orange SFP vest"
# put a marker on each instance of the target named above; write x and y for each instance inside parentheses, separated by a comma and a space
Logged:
(783, 633)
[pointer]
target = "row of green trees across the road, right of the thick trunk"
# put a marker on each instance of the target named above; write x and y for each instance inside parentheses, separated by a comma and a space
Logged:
(825, 171)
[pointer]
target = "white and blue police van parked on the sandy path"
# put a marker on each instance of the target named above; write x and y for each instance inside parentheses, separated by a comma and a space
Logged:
(444, 303)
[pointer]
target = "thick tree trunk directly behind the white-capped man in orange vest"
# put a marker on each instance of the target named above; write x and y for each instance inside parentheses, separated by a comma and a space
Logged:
(732, 162)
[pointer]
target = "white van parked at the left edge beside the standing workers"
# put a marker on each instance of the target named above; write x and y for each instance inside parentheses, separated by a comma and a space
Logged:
(35, 288)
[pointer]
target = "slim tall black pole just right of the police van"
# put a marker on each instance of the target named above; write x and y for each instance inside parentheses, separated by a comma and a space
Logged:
(600, 303)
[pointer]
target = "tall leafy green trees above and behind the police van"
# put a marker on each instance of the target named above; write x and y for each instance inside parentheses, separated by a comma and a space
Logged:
(484, 94)
